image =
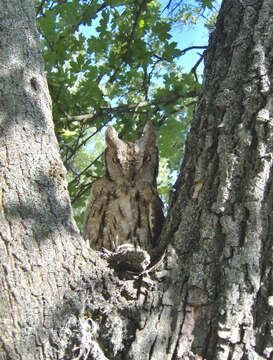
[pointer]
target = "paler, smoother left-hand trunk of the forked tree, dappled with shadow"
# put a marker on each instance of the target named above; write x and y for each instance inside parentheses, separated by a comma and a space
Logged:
(42, 255)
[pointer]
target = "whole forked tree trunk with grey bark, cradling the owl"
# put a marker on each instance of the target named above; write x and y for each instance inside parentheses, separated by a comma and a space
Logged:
(212, 298)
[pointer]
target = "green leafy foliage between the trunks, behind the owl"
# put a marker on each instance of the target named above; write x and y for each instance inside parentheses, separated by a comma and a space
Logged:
(115, 62)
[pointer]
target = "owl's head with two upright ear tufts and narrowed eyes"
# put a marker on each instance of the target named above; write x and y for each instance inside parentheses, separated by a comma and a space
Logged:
(129, 163)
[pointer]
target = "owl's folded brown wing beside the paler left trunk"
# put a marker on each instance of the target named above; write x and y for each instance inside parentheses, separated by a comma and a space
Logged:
(95, 212)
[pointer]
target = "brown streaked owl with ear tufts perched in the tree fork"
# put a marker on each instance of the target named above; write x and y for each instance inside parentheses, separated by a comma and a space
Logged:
(124, 206)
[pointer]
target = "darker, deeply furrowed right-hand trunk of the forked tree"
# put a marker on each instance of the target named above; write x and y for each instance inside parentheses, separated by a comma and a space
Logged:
(220, 221)
